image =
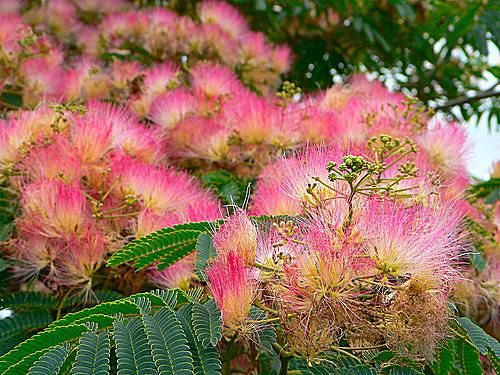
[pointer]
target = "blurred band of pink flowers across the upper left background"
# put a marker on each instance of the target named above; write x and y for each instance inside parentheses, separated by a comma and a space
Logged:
(82, 50)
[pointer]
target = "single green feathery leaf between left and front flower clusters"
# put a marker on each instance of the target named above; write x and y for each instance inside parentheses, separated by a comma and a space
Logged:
(173, 242)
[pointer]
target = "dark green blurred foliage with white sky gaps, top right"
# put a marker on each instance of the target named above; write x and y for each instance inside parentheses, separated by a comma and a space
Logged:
(435, 50)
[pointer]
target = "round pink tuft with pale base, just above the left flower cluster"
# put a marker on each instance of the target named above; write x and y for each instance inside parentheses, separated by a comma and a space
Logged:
(170, 108)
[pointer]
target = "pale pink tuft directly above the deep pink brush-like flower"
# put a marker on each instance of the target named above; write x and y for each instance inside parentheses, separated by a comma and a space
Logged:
(238, 234)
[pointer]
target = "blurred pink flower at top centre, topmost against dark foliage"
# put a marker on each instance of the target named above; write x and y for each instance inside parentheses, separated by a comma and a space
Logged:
(223, 15)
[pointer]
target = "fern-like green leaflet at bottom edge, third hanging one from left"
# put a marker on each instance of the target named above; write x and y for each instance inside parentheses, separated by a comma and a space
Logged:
(132, 348)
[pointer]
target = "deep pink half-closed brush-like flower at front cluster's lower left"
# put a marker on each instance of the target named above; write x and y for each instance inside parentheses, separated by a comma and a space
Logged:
(233, 287)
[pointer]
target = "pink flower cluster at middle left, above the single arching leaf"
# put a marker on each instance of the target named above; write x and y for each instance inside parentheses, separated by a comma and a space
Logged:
(88, 179)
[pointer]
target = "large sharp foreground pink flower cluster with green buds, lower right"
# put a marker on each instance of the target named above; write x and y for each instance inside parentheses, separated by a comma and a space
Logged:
(374, 270)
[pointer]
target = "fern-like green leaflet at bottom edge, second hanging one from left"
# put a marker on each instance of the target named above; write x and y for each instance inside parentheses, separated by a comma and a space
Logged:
(93, 354)
